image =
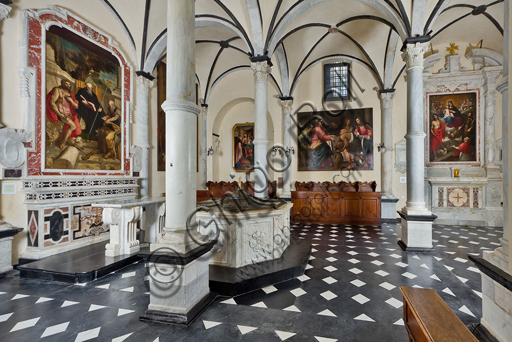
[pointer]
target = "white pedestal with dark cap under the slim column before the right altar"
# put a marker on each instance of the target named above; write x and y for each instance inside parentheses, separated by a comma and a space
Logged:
(415, 233)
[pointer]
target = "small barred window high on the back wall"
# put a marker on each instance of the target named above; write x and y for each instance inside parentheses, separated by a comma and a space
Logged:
(337, 81)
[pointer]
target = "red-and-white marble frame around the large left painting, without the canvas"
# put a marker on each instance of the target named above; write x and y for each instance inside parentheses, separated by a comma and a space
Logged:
(33, 86)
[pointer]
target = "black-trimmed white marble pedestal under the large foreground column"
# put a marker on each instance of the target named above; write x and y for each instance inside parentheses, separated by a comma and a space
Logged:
(179, 285)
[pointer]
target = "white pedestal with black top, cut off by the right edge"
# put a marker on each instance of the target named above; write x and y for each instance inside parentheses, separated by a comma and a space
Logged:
(496, 299)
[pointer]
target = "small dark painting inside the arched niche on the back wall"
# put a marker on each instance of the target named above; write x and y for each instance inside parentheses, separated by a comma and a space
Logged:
(243, 147)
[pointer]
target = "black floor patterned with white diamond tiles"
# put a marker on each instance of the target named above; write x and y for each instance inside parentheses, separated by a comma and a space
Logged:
(349, 292)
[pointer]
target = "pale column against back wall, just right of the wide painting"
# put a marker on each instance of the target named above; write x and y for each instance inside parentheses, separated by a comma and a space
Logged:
(388, 199)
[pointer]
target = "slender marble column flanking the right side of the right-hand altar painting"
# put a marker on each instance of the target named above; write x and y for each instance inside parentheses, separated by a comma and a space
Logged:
(493, 172)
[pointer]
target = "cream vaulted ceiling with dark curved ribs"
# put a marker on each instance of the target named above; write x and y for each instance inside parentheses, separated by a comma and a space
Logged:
(297, 34)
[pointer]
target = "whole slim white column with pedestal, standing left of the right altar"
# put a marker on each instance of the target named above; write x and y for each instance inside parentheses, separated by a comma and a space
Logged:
(416, 229)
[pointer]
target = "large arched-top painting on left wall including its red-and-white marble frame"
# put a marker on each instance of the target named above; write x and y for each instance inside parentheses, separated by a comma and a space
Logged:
(83, 98)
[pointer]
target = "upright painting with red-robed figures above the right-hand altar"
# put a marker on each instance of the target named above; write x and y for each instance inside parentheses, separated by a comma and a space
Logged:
(453, 128)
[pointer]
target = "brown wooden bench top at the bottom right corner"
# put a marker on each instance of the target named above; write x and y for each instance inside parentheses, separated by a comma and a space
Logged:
(428, 318)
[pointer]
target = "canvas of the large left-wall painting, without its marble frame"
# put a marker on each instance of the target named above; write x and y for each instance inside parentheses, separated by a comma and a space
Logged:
(83, 128)
